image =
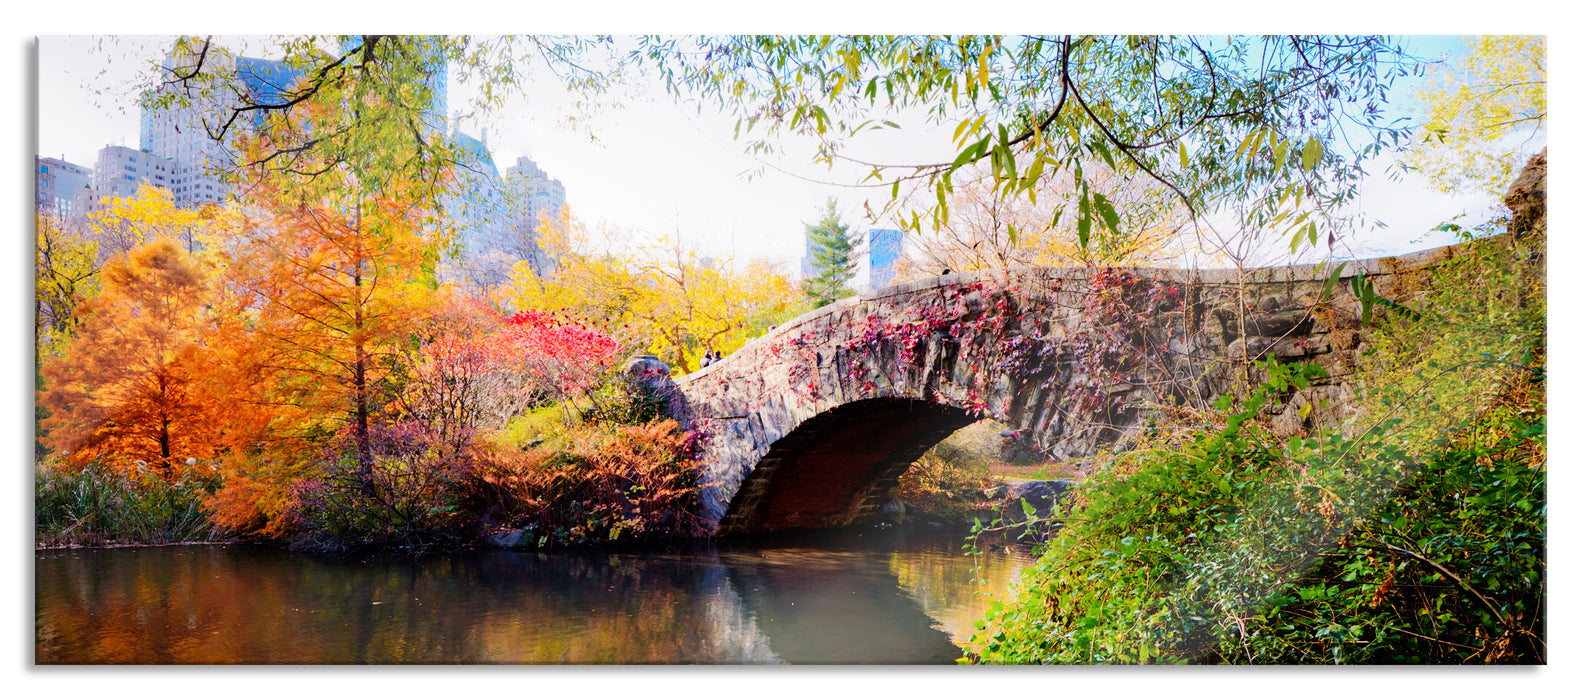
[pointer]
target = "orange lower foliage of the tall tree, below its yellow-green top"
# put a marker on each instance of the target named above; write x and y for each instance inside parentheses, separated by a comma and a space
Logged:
(324, 292)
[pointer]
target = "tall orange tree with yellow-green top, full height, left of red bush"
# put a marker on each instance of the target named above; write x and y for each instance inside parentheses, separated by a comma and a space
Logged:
(325, 287)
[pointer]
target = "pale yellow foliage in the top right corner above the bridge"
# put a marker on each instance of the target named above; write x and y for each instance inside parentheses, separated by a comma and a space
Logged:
(1483, 115)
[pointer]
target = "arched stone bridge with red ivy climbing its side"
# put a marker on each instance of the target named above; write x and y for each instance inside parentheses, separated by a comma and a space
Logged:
(812, 425)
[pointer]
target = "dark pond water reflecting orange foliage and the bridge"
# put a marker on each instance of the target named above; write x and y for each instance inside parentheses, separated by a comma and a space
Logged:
(836, 598)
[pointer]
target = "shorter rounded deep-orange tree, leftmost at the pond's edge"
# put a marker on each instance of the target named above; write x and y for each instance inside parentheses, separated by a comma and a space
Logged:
(129, 390)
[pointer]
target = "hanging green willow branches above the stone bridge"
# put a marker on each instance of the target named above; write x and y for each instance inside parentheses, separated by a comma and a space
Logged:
(1211, 120)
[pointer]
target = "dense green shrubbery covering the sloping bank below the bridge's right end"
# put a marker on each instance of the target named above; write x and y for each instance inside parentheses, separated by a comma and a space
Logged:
(1415, 536)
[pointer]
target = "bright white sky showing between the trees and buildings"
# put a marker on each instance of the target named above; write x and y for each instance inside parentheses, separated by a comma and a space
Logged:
(657, 167)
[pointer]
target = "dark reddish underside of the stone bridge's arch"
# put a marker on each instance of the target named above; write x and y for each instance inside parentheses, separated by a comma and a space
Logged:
(839, 468)
